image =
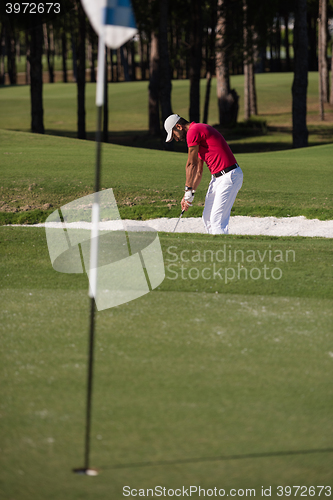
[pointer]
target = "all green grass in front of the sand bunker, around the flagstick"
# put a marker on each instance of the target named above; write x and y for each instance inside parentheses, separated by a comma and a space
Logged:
(245, 372)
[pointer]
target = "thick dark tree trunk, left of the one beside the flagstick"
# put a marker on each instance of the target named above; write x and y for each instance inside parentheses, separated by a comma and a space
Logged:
(36, 75)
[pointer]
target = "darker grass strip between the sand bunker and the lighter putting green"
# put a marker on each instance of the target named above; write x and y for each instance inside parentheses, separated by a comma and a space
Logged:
(193, 263)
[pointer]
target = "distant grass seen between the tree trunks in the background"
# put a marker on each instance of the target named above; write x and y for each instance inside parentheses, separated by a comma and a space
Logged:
(128, 111)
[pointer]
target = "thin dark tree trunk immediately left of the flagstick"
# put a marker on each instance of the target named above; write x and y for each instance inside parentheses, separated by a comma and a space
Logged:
(81, 74)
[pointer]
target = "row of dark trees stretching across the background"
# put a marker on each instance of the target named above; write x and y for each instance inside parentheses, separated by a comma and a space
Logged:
(190, 39)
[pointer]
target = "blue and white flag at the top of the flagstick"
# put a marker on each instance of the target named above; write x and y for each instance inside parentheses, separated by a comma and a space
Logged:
(112, 19)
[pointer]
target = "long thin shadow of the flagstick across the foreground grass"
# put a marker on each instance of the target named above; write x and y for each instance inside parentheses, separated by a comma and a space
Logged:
(217, 459)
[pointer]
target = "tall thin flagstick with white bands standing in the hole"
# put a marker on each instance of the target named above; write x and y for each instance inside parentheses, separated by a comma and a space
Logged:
(94, 256)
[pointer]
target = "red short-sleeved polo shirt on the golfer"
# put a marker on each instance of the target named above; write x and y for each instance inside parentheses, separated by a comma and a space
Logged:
(213, 148)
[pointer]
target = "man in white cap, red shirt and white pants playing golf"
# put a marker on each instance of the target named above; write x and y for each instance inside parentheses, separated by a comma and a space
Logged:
(206, 144)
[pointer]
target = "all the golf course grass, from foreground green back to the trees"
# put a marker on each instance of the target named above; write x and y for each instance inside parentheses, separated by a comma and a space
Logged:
(200, 382)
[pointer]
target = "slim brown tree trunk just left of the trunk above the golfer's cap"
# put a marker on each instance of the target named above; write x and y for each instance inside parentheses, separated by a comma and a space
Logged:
(154, 115)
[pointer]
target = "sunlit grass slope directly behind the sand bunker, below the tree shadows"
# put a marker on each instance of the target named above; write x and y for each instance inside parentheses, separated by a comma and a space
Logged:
(38, 171)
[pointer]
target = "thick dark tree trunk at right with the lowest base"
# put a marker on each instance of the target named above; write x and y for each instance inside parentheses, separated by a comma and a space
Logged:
(300, 83)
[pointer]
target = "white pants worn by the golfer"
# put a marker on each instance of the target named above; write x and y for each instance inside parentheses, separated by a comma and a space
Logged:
(220, 197)
